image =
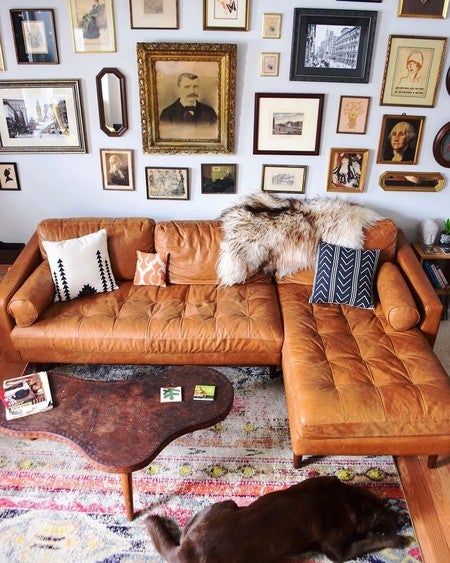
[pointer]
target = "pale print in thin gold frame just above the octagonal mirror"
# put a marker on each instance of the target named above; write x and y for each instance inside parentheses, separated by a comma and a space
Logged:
(93, 26)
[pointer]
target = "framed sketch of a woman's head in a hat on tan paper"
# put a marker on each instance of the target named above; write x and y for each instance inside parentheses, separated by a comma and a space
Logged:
(413, 70)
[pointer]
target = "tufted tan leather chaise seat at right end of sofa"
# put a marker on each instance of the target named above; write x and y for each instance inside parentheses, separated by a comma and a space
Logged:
(349, 374)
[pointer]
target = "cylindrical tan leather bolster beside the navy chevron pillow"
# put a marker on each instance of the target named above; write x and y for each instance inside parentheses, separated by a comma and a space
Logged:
(396, 300)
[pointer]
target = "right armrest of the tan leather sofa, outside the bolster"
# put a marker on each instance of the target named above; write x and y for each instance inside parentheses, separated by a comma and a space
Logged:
(426, 299)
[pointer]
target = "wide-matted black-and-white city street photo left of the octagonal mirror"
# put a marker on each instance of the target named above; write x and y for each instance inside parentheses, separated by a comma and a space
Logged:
(41, 116)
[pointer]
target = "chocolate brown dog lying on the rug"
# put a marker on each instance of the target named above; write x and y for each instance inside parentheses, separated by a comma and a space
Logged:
(318, 514)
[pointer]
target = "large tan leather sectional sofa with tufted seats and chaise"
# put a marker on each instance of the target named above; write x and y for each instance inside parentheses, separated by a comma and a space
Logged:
(356, 381)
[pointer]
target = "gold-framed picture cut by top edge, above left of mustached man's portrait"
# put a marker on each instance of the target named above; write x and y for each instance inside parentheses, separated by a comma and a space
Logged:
(154, 14)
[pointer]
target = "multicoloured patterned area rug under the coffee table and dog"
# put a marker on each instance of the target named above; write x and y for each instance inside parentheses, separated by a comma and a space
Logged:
(55, 507)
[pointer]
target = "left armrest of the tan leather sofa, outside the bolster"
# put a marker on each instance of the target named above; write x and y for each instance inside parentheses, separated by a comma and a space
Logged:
(26, 263)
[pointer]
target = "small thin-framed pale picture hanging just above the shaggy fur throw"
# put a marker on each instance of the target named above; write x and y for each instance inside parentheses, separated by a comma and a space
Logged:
(283, 178)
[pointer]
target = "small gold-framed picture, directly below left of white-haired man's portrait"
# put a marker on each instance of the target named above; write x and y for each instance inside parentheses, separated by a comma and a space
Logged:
(347, 170)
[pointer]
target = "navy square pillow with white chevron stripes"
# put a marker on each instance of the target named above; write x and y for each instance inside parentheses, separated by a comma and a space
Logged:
(344, 276)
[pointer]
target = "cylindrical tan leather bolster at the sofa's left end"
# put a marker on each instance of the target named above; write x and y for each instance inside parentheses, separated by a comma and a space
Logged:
(33, 297)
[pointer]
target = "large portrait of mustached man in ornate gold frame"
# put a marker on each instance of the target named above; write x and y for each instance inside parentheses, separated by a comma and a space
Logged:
(187, 93)
